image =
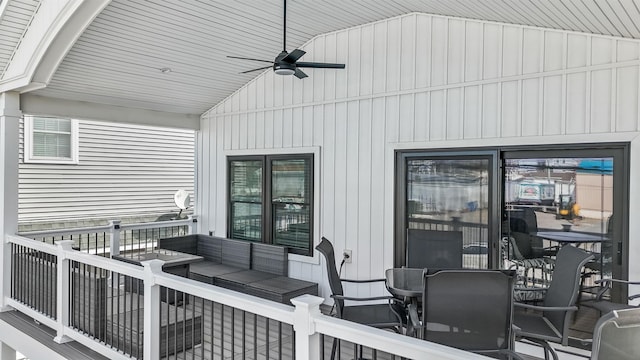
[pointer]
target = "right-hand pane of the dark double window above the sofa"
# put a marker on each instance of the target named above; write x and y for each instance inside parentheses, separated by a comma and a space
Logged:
(291, 202)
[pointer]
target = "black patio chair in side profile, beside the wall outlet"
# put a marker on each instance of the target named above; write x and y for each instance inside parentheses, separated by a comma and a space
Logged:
(389, 315)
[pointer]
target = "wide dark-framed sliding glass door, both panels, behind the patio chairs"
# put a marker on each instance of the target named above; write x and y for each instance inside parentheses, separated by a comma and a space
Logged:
(513, 205)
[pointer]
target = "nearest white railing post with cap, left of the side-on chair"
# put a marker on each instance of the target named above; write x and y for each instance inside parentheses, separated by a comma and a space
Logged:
(307, 340)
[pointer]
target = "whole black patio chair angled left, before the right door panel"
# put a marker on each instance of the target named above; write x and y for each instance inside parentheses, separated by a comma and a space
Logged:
(550, 321)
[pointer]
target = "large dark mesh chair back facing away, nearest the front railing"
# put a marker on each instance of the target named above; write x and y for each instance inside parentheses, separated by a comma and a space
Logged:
(469, 309)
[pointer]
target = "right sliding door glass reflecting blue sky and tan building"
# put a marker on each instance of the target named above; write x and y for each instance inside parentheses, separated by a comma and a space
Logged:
(558, 201)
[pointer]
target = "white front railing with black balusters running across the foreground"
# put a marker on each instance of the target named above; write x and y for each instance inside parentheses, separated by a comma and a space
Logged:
(308, 323)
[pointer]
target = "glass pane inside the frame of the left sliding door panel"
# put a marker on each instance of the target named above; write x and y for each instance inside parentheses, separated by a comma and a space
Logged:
(451, 195)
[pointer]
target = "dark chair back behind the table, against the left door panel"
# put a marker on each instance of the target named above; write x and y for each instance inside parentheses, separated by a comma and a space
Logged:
(434, 249)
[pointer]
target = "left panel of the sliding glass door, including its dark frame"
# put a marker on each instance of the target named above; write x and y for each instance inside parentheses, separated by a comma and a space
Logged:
(448, 194)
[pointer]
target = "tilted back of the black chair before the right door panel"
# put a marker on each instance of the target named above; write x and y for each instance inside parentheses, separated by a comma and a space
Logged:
(565, 285)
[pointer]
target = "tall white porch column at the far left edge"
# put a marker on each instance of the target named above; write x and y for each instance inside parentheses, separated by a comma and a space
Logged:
(9, 132)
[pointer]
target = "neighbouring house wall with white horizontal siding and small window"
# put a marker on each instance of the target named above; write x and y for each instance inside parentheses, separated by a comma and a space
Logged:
(84, 173)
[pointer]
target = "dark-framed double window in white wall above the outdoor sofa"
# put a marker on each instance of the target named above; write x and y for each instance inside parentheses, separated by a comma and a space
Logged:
(270, 200)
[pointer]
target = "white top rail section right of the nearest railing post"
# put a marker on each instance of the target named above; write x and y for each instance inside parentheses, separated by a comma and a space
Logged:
(397, 344)
